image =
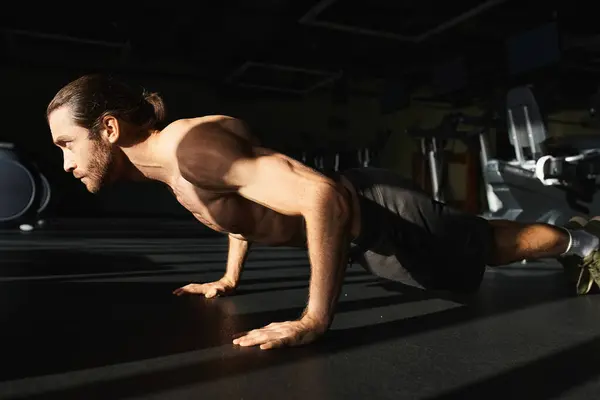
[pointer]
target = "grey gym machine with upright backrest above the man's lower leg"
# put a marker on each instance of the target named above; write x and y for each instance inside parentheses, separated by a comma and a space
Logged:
(551, 178)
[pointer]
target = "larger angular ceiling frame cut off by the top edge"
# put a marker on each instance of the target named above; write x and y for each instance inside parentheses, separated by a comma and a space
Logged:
(310, 19)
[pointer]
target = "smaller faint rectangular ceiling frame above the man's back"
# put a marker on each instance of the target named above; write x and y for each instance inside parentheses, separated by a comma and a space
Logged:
(328, 77)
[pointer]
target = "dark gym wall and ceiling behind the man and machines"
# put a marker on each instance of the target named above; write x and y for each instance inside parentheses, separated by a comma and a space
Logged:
(381, 67)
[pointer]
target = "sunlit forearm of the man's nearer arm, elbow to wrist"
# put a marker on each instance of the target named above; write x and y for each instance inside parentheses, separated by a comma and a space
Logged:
(328, 240)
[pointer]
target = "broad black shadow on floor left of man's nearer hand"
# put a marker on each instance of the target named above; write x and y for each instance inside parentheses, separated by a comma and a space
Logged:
(68, 326)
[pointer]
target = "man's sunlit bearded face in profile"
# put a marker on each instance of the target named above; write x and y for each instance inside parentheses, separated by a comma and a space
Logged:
(90, 160)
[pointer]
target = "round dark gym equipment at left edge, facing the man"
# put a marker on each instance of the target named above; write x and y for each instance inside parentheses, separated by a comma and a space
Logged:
(25, 190)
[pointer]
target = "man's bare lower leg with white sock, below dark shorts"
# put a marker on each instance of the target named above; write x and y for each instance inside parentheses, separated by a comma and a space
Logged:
(516, 241)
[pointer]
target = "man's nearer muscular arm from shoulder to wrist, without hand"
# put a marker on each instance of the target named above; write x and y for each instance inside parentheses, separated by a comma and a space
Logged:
(215, 159)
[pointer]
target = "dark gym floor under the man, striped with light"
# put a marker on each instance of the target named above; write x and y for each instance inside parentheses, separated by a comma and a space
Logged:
(86, 312)
